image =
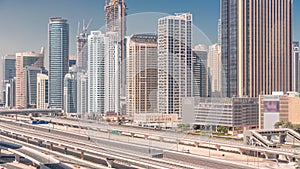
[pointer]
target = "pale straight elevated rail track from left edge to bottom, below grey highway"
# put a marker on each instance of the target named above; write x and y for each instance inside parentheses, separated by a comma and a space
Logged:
(52, 137)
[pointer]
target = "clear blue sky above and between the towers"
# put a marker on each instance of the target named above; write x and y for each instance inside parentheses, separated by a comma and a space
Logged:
(24, 22)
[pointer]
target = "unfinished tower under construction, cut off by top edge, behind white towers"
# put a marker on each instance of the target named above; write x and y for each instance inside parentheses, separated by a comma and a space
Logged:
(115, 22)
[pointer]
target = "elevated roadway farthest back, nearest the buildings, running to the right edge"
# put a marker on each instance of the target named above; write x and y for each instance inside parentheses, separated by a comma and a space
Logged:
(268, 152)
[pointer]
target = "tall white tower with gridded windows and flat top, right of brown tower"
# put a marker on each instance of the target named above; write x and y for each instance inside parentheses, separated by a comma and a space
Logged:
(174, 62)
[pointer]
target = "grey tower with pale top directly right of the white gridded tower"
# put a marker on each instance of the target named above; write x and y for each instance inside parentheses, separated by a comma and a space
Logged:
(200, 75)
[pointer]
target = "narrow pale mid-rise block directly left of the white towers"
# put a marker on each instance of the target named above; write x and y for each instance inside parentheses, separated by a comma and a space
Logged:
(82, 93)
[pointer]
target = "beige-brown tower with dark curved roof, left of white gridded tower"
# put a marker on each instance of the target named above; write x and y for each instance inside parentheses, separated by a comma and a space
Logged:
(141, 94)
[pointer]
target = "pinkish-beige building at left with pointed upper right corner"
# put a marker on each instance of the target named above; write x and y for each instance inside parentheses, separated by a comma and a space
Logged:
(24, 60)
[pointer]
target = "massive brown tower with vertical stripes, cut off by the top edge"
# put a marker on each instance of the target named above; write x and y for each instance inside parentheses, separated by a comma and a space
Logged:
(256, 47)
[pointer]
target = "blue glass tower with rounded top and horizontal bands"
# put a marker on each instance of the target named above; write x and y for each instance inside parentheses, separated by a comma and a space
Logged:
(58, 43)
